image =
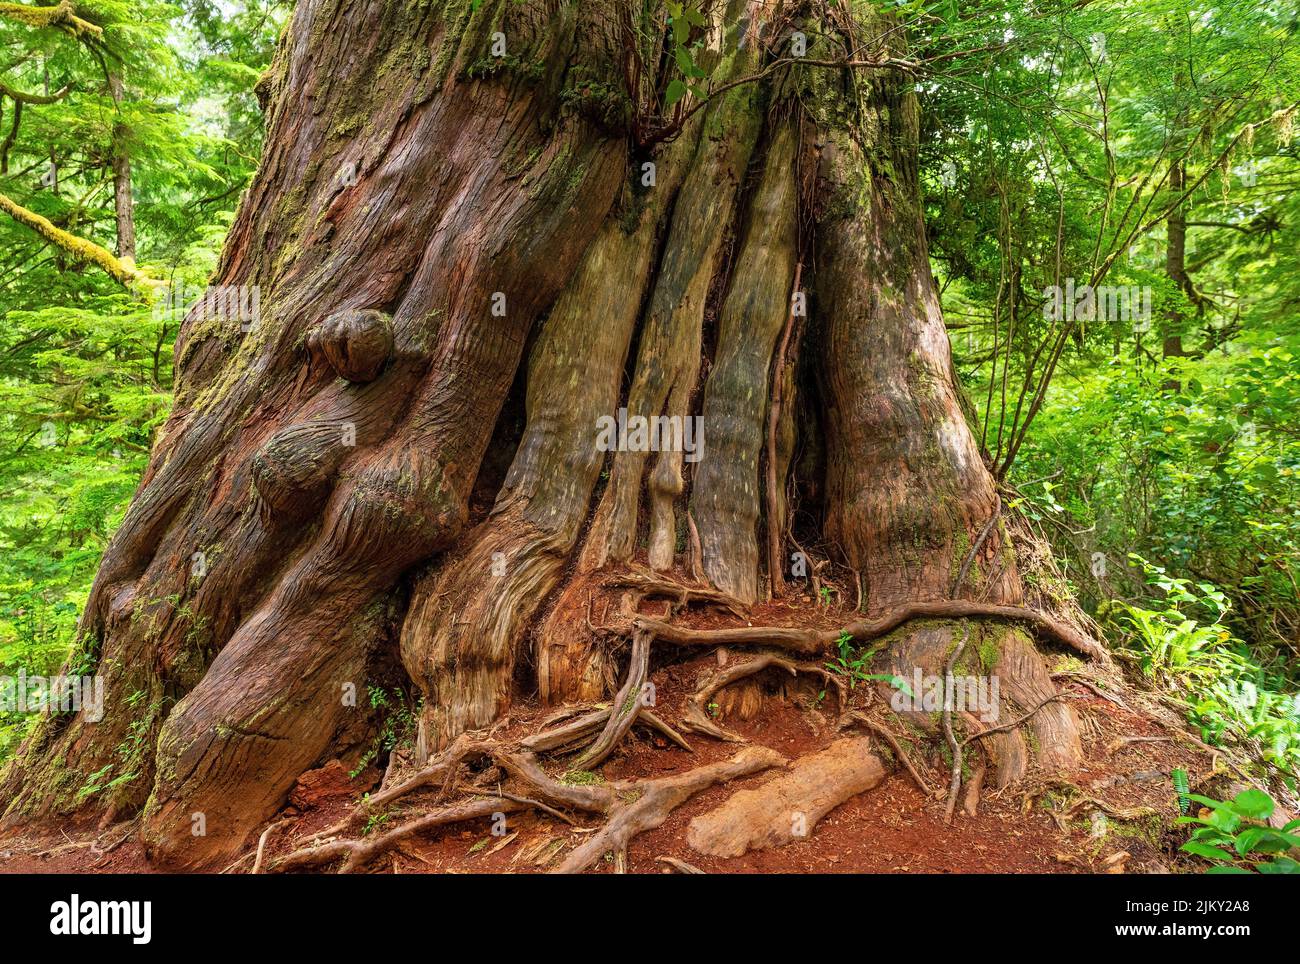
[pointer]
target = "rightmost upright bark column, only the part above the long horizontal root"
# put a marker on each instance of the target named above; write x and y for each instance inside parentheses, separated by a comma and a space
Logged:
(908, 493)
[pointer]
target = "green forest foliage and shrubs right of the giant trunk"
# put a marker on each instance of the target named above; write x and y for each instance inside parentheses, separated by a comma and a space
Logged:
(1146, 146)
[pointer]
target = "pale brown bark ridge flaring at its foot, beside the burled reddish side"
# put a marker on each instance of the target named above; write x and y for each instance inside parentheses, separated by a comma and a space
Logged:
(466, 620)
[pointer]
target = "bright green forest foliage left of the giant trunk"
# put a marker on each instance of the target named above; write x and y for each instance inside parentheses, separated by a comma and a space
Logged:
(86, 367)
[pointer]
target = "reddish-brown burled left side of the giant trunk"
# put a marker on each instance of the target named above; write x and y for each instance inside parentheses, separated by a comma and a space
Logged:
(309, 494)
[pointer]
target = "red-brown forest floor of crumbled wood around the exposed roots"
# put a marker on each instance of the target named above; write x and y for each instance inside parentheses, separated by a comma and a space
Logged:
(1038, 827)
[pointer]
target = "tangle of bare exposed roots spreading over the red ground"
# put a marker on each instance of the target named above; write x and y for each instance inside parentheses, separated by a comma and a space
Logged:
(632, 807)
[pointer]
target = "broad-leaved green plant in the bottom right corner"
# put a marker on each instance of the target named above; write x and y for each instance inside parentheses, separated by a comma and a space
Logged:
(1236, 837)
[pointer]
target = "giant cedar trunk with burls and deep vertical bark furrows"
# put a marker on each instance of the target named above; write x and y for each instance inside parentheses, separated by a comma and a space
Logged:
(432, 223)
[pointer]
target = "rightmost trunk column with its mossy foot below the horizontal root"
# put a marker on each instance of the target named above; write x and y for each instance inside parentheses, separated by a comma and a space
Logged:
(908, 494)
